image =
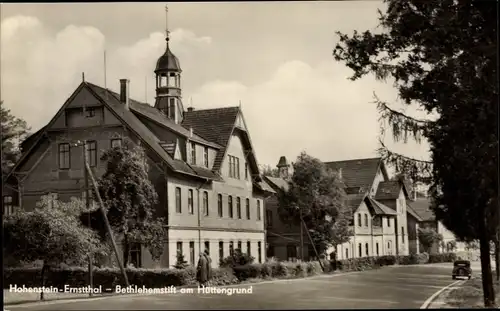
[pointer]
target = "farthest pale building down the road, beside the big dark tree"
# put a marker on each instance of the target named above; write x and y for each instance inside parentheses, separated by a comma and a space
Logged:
(422, 206)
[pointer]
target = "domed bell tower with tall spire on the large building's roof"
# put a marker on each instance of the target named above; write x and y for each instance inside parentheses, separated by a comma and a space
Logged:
(168, 82)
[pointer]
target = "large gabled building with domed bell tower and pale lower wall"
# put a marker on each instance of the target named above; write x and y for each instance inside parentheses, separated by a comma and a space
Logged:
(202, 164)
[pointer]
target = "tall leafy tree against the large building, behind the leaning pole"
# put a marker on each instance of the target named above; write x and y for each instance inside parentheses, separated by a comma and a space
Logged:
(130, 199)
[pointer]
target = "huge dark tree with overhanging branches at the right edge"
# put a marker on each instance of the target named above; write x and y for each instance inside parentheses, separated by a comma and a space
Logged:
(441, 56)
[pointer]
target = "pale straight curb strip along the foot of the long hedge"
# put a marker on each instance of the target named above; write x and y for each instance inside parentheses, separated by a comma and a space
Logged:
(111, 295)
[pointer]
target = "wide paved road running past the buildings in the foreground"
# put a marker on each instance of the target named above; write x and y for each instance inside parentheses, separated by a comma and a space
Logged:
(390, 287)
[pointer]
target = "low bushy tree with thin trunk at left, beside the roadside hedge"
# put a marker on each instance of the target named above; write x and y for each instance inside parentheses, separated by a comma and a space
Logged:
(51, 233)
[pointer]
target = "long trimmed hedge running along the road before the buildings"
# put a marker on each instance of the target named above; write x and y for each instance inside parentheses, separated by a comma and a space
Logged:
(153, 278)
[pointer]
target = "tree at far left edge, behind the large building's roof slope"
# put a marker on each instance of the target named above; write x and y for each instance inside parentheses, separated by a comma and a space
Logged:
(14, 130)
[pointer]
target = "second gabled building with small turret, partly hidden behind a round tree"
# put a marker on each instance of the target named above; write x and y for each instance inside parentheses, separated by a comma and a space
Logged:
(380, 214)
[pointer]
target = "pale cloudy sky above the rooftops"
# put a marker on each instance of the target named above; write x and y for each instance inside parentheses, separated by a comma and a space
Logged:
(273, 58)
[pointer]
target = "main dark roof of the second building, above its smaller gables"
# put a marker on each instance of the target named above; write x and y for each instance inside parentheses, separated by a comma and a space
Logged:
(359, 172)
